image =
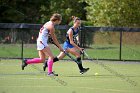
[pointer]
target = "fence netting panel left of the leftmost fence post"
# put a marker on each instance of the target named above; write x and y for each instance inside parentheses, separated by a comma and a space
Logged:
(10, 43)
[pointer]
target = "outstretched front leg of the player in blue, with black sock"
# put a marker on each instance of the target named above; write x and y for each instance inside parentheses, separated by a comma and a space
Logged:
(78, 58)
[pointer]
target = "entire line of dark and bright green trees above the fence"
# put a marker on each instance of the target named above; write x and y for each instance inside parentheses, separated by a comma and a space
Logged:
(92, 12)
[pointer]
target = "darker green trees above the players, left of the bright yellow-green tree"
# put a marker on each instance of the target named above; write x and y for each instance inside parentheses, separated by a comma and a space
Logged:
(39, 11)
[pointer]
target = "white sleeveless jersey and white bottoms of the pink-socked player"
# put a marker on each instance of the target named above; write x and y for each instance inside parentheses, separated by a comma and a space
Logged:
(43, 37)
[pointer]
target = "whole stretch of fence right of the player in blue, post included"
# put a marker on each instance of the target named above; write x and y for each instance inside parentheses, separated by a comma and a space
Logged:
(111, 43)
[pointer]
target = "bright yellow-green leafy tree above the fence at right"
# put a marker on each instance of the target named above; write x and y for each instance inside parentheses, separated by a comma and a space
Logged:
(114, 12)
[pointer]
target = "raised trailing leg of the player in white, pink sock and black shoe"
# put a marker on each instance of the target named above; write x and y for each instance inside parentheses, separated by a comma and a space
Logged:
(34, 60)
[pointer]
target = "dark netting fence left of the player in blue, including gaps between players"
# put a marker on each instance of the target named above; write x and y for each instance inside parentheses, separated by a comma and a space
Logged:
(19, 40)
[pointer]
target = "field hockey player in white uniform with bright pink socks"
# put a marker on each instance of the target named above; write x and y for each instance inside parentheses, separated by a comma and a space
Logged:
(42, 44)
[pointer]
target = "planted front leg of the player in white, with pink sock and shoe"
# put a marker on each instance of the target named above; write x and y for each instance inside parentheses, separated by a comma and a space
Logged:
(48, 52)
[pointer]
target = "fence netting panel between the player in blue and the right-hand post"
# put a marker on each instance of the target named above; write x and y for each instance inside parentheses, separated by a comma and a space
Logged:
(101, 44)
